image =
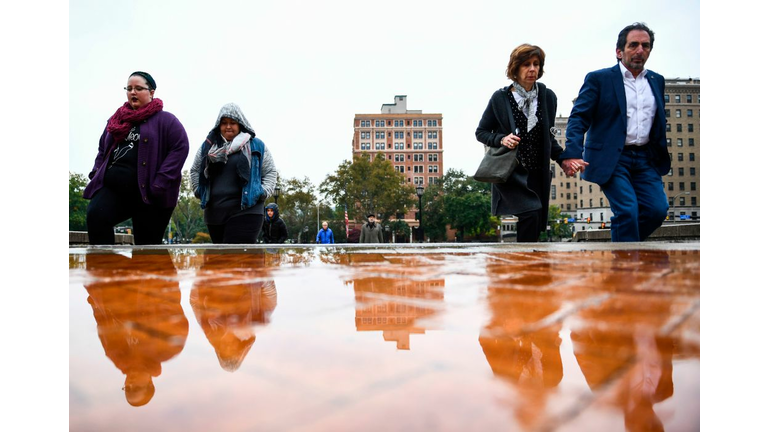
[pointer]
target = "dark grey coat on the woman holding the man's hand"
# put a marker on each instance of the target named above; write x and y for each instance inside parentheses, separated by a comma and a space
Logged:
(514, 197)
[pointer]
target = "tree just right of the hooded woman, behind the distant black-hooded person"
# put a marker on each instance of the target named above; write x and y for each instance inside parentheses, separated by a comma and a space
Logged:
(298, 209)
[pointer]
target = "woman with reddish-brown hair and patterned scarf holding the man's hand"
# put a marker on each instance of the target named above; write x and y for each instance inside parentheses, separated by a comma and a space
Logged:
(521, 117)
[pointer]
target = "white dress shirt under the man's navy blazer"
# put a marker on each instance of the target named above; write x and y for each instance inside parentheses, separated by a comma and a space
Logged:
(641, 106)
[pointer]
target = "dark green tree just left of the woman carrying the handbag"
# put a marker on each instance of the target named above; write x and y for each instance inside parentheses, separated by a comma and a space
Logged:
(467, 204)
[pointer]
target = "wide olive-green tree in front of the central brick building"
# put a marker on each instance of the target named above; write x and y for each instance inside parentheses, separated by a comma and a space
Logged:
(364, 186)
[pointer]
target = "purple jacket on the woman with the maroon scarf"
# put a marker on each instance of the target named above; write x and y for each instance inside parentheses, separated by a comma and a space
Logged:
(163, 150)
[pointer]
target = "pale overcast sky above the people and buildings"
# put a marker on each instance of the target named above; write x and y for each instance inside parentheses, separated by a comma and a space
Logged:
(301, 70)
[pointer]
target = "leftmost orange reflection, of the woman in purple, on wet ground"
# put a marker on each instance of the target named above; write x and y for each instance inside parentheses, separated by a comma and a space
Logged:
(140, 320)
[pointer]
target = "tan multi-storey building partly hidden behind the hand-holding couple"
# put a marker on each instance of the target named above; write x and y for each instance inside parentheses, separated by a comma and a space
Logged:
(582, 199)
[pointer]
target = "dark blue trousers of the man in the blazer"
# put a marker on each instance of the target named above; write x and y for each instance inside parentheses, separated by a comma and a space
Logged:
(636, 194)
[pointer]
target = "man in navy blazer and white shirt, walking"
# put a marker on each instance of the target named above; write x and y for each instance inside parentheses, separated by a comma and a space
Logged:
(621, 110)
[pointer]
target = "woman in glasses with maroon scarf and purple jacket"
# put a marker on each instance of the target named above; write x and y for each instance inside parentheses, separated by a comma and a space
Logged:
(137, 173)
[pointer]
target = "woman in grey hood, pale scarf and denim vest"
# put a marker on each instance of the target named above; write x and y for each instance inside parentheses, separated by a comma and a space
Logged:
(233, 174)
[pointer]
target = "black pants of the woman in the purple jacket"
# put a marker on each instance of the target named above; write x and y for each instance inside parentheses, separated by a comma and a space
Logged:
(108, 208)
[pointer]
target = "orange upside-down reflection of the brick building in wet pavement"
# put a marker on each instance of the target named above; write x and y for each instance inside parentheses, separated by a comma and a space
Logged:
(394, 306)
